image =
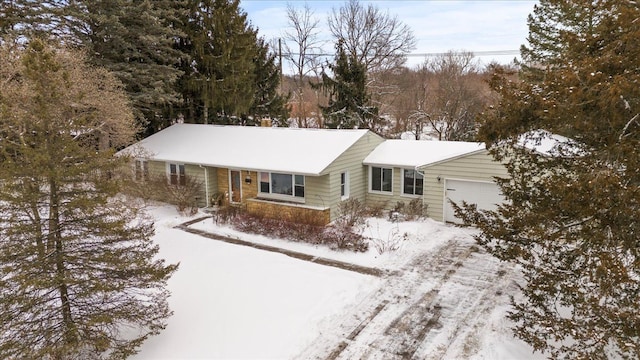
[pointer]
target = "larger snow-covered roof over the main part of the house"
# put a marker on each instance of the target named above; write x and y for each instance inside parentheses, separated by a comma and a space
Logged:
(288, 150)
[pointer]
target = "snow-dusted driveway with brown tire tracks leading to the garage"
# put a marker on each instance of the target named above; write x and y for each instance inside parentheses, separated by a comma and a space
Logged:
(435, 309)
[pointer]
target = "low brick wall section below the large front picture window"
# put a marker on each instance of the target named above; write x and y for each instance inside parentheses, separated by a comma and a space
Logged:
(289, 212)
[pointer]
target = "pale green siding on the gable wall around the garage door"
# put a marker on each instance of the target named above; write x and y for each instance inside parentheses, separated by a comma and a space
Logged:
(478, 166)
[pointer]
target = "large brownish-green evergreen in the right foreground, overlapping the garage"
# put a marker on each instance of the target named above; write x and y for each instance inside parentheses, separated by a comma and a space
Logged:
(572, 217)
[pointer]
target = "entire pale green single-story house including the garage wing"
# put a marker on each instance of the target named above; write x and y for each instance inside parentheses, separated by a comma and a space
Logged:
(308, 172)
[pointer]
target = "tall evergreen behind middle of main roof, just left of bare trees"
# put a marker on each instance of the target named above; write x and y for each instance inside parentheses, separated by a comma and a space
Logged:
(219, 77)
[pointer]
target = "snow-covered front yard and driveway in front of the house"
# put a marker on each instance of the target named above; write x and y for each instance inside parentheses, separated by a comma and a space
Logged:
(444, 298)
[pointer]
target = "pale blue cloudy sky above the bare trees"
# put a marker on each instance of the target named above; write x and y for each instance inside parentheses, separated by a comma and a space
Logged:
(495, 28)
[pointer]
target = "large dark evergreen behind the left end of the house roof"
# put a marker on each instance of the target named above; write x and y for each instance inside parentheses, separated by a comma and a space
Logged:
(135, 40)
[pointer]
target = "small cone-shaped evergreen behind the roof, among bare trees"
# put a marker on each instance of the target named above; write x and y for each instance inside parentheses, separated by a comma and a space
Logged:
(348, 105)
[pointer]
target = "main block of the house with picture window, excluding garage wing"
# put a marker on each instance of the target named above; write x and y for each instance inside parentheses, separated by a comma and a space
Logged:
(273, 171)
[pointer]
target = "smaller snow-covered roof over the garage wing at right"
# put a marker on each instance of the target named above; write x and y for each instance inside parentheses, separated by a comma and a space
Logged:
(412, 154)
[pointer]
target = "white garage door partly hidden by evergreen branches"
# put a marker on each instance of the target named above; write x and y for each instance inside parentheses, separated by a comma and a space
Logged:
(484, 194)
